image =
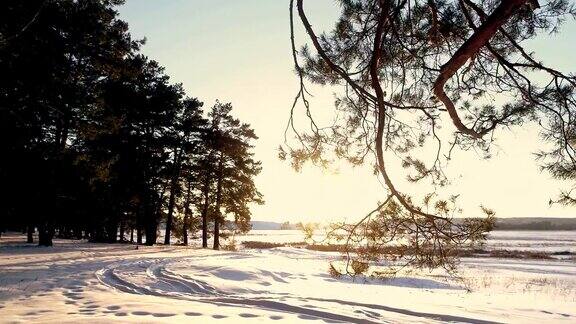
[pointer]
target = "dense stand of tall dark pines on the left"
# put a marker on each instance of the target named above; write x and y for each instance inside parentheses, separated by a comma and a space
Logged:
(97, 143)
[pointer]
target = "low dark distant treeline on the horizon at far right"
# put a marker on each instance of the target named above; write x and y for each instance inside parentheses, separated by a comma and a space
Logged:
(536, 224)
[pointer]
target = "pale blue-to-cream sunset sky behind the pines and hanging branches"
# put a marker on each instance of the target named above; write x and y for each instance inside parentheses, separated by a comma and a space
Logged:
(239, 52)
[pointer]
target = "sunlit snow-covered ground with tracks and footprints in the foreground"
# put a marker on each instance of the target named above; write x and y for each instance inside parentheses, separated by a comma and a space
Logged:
(77, 282)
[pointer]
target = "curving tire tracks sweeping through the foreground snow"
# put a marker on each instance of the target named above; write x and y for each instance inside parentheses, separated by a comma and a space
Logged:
(165, 283)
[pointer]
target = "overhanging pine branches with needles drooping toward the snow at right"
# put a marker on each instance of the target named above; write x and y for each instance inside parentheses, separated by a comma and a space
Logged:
(406, 68)
